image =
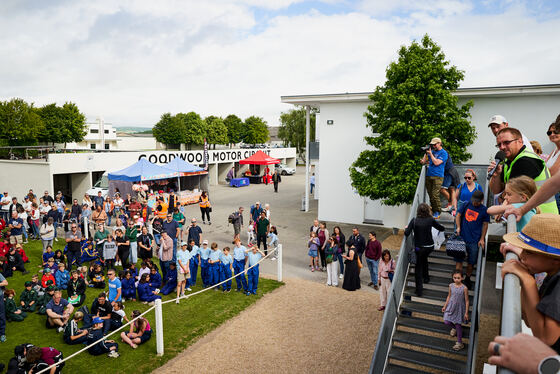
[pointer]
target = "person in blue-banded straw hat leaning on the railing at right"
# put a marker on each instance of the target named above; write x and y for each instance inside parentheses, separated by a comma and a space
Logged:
(538, 247)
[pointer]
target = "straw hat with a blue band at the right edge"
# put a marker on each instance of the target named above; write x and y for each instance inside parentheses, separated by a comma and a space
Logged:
(540, 235)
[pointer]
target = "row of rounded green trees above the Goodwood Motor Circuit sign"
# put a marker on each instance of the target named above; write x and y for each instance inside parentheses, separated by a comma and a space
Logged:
(191, 129)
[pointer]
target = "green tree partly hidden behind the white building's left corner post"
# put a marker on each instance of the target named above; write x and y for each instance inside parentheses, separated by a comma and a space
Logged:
(292, 128)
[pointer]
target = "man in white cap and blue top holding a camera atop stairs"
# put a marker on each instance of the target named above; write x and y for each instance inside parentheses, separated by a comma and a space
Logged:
(435, 157)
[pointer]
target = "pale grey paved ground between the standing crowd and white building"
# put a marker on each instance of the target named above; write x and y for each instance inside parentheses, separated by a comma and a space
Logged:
(292, 224)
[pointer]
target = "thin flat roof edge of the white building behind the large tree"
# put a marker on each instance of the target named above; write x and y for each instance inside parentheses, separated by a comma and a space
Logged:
(498, 91)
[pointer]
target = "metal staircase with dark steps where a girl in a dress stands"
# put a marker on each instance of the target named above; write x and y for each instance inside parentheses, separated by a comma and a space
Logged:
(412, 337)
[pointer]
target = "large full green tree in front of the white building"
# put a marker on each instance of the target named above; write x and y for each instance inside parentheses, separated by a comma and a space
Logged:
(415, 104)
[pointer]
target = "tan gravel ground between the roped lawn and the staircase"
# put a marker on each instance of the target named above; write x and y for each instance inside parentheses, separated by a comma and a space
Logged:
(303, 327)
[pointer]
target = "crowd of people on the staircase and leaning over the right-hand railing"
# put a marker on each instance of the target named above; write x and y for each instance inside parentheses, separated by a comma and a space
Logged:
(525, 182)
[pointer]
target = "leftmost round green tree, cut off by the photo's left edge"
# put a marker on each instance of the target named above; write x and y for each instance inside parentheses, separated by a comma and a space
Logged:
(19, 122)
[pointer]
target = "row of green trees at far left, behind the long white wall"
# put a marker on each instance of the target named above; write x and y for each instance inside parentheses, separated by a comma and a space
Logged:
(23, 124)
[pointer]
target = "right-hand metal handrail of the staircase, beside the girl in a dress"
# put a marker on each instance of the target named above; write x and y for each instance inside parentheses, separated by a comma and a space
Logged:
(476, 310)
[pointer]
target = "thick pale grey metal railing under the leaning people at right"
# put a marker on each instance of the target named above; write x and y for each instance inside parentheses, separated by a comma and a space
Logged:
(511, 297)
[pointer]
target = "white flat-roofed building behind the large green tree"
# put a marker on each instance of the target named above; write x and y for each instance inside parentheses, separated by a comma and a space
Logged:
(341, 128)
